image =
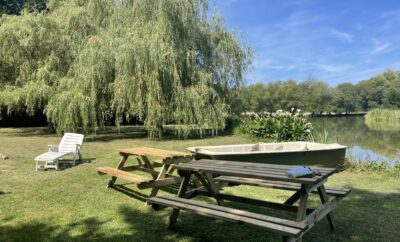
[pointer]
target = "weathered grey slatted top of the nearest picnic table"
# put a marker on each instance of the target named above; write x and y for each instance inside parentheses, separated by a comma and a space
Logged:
(253, 170)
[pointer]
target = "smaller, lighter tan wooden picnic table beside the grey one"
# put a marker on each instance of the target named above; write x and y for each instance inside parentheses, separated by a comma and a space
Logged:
(164, 159)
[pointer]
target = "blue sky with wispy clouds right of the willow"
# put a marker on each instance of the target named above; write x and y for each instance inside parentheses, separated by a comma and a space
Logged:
(331, 40)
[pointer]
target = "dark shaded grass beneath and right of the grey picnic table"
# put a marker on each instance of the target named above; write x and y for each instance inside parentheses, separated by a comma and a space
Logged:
(362, 216)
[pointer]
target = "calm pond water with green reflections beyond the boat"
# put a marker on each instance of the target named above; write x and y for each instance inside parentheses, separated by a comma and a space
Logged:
(365, 143)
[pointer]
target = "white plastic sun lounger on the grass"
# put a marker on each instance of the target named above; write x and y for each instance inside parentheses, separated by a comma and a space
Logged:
(70, 145)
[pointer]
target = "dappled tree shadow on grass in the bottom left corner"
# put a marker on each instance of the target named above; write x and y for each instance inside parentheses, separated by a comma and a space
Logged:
(142, 226)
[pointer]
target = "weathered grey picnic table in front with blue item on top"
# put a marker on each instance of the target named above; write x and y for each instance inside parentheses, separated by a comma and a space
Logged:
(216, 174)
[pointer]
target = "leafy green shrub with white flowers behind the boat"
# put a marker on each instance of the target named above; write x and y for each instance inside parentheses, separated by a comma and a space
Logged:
(277, 127)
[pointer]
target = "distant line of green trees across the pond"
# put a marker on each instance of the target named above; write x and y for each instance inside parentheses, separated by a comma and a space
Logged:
(381, 91)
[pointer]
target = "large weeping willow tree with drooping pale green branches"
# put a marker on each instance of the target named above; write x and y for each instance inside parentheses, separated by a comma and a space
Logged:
(86, 62)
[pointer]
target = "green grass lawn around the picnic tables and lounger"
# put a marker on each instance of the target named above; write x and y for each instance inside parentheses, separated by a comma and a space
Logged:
(73, 204)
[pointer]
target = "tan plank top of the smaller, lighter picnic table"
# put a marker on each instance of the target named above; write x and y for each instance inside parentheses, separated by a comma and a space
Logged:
(146, 151)
